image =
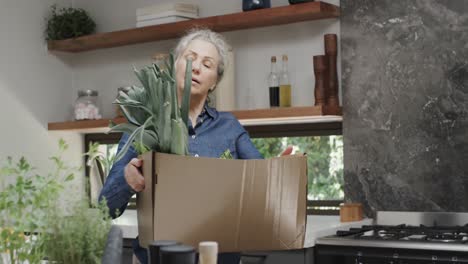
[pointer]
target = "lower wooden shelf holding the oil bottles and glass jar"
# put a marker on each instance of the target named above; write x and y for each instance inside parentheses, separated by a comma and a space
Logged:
(257, 117)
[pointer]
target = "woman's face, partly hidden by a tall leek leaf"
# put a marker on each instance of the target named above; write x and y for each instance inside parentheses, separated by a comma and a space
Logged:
(205, 59)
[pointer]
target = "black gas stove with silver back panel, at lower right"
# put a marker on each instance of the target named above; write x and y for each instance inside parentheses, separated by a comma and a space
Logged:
(399, 237)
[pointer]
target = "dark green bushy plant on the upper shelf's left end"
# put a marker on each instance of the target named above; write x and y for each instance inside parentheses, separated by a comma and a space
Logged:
(68, 22)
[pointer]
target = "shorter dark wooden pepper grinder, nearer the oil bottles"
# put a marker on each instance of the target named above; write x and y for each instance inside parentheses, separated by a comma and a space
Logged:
(320, 72)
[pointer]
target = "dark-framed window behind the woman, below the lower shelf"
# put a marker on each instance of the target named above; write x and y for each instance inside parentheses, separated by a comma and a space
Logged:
(322, 144)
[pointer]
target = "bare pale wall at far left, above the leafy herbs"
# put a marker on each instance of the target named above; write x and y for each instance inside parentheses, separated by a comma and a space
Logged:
(34, 85)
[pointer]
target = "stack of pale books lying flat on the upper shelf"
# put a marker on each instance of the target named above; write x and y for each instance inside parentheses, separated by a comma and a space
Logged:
(165, 13)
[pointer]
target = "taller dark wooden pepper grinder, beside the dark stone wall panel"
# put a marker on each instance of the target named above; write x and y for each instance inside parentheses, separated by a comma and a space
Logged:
(331, 51)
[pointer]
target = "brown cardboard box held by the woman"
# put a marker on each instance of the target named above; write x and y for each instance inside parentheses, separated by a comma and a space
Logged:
(244, 205)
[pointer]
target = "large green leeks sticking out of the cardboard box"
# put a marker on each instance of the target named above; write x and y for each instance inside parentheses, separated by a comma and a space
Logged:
(155, 120)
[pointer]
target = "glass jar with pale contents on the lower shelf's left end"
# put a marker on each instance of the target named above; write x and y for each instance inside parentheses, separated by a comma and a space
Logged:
(87, 106)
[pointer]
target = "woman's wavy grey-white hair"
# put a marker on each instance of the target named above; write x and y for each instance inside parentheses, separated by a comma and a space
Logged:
(210, 36)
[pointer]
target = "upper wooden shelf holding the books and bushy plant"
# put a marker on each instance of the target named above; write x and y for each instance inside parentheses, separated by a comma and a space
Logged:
(243, 20)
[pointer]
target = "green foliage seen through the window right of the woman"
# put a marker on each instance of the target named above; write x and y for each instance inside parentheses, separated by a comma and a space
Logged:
(324, 161)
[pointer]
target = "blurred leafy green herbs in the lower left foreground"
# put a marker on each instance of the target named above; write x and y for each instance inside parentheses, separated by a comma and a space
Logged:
(33, 228)
